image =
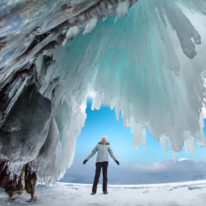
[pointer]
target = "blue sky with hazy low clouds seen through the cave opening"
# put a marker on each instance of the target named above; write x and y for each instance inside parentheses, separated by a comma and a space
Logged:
(133, 162)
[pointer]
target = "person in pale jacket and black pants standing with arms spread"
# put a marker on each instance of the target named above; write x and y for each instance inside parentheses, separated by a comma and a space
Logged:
(103, 148)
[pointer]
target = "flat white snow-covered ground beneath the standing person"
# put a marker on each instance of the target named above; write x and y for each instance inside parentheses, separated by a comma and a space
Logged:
(67, 194)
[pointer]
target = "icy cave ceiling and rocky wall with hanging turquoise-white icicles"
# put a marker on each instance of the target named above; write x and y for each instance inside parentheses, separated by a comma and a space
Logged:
(150, 65)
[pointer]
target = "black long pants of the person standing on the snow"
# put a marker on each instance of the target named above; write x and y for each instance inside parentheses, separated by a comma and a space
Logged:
(104, 166)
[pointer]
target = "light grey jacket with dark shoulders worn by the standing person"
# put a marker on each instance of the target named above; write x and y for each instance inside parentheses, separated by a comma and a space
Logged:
(103, 148)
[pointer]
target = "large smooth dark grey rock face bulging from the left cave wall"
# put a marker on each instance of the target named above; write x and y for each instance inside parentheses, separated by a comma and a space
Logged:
(26, 126)
